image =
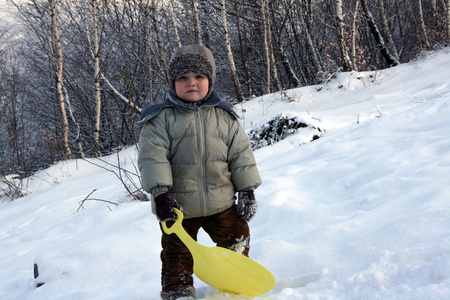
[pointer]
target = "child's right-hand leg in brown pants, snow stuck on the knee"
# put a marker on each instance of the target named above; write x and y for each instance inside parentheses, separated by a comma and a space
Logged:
(227, 230)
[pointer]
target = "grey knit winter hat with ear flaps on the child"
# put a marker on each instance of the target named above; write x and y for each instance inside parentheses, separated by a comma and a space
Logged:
(192, 59)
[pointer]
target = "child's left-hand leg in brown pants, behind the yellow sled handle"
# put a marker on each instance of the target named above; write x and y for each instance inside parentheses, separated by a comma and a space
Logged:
(177, 263)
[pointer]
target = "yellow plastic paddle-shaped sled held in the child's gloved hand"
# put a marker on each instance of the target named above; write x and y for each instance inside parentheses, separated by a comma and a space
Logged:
(222, 268)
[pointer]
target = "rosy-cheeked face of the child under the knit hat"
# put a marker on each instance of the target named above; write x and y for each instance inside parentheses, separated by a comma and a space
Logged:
(192, 86)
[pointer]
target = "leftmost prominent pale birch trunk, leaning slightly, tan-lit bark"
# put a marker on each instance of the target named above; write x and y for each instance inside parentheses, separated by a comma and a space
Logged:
(59, 83)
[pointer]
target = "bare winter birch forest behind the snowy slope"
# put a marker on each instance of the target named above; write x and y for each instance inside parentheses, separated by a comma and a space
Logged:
(75, 74)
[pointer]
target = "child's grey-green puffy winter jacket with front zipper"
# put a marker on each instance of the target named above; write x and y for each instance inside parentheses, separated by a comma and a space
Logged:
(201, 154)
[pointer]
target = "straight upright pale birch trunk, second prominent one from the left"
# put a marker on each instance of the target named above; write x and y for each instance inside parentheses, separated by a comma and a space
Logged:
(98, 103)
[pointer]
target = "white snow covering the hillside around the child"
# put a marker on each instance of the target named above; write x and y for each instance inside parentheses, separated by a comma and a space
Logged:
(361, 213)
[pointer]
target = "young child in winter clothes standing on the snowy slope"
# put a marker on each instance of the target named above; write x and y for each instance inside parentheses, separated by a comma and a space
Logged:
(194, 155)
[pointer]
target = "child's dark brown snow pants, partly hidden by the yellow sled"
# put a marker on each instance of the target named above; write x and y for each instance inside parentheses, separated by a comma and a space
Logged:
(226, 229)
